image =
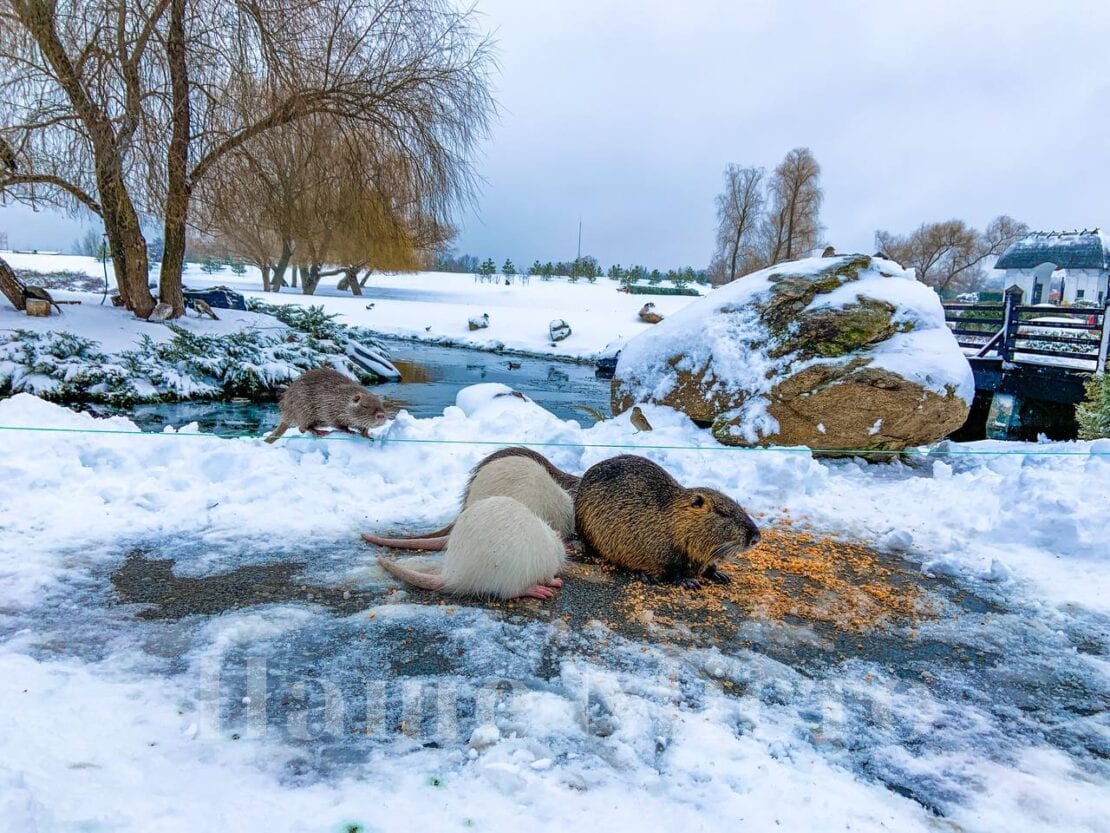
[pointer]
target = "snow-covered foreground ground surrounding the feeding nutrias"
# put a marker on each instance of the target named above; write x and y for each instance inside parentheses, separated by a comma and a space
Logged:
(328, 705)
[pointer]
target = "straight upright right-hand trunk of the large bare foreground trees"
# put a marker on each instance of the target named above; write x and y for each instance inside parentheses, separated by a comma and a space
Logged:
(178, 187)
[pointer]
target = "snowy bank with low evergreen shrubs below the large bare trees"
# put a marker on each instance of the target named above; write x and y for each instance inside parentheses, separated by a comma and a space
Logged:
(96, 353)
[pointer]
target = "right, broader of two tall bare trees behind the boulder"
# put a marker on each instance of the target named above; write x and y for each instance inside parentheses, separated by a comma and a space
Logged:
(792, 227)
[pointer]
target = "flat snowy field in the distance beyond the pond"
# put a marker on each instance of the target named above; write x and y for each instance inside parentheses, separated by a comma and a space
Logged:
(438, 306)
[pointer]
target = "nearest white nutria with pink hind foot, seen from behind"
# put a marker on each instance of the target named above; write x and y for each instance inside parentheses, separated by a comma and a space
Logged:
(498, 548)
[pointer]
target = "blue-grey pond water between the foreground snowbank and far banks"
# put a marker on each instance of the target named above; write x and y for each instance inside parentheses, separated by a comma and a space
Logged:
(431, 378)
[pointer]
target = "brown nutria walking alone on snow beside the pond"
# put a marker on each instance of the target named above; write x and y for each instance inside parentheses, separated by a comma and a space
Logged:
(325, 397)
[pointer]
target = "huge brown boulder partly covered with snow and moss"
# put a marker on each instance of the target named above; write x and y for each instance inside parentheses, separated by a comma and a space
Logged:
(836, 354)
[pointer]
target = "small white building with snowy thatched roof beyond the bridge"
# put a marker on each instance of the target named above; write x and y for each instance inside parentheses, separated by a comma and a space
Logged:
(1062, 267)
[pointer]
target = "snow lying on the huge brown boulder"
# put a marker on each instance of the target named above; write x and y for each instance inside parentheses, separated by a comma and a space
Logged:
(724, 336)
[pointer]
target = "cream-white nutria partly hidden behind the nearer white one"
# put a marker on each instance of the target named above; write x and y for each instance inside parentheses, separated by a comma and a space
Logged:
(520, 478)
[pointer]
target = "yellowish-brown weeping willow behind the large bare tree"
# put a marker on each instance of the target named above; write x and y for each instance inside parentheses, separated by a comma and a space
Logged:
(326, 202)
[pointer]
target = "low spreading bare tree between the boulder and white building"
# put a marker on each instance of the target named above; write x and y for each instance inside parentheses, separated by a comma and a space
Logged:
(951, 255)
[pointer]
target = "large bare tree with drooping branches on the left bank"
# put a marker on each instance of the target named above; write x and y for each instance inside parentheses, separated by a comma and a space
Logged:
(124, 107)
